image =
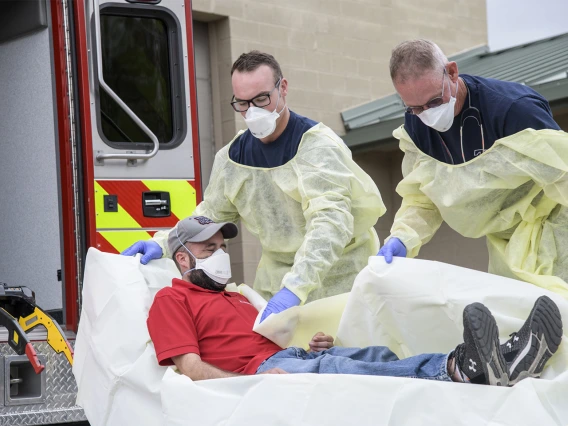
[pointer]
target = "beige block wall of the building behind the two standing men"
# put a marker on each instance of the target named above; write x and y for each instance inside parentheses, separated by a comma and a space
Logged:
(334, 54)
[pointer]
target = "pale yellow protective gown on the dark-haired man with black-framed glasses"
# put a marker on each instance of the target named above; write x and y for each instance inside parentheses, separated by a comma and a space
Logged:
(314, 215)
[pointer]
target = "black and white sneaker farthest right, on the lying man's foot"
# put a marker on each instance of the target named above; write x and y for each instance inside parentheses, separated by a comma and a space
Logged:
(528, 350)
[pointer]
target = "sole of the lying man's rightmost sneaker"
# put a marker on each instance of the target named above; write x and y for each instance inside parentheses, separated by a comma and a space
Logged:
(545, 337)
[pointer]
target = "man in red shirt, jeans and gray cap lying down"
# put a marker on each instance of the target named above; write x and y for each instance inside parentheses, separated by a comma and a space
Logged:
(207, 332)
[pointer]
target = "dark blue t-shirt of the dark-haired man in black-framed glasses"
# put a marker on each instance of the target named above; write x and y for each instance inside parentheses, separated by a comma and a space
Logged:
(250, 151)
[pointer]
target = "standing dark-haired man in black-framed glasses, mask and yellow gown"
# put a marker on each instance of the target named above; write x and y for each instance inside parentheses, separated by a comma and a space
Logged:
(294, 185)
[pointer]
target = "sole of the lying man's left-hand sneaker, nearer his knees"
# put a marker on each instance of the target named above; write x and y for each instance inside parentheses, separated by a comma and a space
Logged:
(486, 337)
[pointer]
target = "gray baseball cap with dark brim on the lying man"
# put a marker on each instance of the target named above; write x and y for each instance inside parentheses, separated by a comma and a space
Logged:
(196, 229)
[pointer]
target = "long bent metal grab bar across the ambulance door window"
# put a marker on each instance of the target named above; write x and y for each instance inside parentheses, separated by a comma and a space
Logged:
(127, 156)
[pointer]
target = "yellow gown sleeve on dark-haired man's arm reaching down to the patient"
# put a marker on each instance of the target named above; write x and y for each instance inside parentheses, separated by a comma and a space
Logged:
(328, 180)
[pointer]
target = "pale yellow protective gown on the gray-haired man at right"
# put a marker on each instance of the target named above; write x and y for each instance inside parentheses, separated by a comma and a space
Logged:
(515, 194)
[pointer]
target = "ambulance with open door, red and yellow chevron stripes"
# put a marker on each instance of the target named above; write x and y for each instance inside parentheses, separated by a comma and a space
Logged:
(99, 147)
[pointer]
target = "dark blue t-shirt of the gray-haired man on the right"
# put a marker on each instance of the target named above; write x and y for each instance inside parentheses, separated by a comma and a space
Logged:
(506, 108)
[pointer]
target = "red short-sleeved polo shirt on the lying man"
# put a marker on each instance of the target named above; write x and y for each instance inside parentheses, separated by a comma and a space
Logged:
(215, 325)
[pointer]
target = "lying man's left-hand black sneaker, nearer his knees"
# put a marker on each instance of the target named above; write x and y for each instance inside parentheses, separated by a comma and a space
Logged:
(479, 358)
